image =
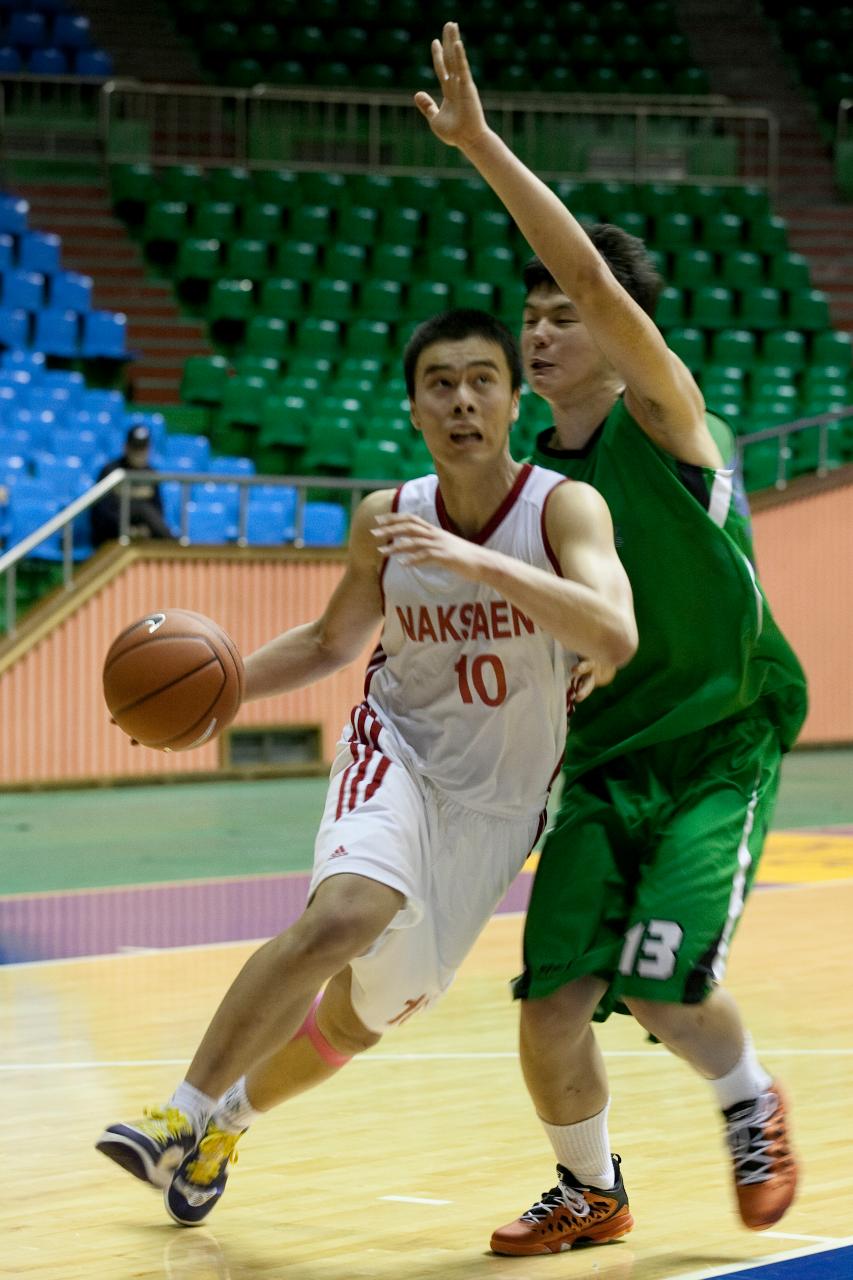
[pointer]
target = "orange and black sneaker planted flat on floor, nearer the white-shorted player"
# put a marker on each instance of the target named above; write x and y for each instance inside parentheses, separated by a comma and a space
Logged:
(568, 1214)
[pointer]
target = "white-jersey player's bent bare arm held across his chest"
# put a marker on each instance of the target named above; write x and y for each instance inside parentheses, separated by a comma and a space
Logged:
(590, 611)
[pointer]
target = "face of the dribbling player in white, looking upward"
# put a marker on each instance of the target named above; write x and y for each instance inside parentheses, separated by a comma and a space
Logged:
(464, 401)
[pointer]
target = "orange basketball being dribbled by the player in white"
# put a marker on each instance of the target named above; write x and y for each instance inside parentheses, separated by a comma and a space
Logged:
(174, 680)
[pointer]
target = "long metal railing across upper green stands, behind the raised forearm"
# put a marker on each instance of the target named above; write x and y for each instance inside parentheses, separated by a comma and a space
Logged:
(594, 136)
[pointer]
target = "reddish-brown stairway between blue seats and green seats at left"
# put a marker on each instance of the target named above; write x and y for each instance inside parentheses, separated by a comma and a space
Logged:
(98, 245)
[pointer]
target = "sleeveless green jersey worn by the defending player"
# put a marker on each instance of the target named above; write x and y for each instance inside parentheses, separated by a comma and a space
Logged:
(709, 646)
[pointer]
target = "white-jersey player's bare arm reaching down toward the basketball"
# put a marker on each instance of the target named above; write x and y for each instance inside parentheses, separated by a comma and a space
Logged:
(316, 650)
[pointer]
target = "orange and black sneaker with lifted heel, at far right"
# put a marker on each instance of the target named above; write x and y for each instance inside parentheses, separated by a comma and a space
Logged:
(765, 1168)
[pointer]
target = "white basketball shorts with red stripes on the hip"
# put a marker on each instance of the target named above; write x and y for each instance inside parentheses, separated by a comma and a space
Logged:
(453, 866)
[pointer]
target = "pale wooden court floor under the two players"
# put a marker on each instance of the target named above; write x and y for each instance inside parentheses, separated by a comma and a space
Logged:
(404, 1163)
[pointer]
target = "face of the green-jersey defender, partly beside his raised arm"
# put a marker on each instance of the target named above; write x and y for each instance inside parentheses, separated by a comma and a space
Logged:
(559, 354)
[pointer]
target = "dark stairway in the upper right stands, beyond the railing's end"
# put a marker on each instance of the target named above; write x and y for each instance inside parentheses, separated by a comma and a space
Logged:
(740, 49)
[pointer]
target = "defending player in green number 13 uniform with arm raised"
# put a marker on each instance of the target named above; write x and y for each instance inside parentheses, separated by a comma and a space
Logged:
(672, 770)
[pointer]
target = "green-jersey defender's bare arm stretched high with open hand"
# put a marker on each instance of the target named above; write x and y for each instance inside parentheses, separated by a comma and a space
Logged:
(662, 392)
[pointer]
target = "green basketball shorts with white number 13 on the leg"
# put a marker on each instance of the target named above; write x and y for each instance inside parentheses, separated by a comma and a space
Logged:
(645, 875)
